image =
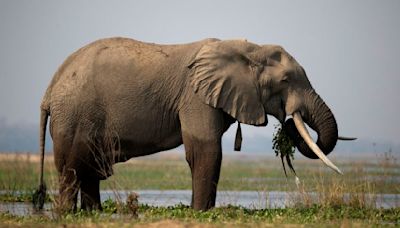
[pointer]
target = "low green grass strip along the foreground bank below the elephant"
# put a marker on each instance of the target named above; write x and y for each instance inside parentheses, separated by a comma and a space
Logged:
(230, 215)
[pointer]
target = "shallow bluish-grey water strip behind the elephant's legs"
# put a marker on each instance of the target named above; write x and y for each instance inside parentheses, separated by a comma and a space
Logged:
(248, 199)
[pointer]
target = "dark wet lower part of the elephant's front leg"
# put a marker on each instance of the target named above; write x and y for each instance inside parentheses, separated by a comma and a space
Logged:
(204, 159)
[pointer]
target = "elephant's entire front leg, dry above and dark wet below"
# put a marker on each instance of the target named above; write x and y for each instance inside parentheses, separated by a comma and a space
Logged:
(202, 128)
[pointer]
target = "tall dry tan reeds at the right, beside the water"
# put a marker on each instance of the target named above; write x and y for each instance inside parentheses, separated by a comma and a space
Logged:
(360, 187)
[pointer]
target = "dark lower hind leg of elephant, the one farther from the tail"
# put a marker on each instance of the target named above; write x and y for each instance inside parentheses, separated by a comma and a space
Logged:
(90, 194)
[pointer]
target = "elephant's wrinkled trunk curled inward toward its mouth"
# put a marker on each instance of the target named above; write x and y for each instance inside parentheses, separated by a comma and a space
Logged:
(320, 118)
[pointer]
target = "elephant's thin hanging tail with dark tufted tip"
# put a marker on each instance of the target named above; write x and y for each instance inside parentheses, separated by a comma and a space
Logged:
(40, 194)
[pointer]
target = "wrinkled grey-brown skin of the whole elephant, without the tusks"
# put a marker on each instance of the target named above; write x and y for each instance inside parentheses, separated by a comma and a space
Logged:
(118, 98)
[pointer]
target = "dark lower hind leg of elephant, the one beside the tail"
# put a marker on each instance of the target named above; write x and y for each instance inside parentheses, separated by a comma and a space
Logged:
(69, 187)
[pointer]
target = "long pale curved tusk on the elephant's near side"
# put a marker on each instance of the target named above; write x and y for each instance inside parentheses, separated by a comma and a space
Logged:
(298, 121)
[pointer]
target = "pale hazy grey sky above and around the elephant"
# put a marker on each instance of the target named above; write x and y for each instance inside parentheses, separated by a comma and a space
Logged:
(350, 49)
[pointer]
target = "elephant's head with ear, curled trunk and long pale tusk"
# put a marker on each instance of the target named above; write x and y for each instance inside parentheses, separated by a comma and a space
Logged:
(249, 81)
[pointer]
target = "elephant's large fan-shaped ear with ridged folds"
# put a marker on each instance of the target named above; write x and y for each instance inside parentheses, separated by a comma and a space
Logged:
(224, 77)
